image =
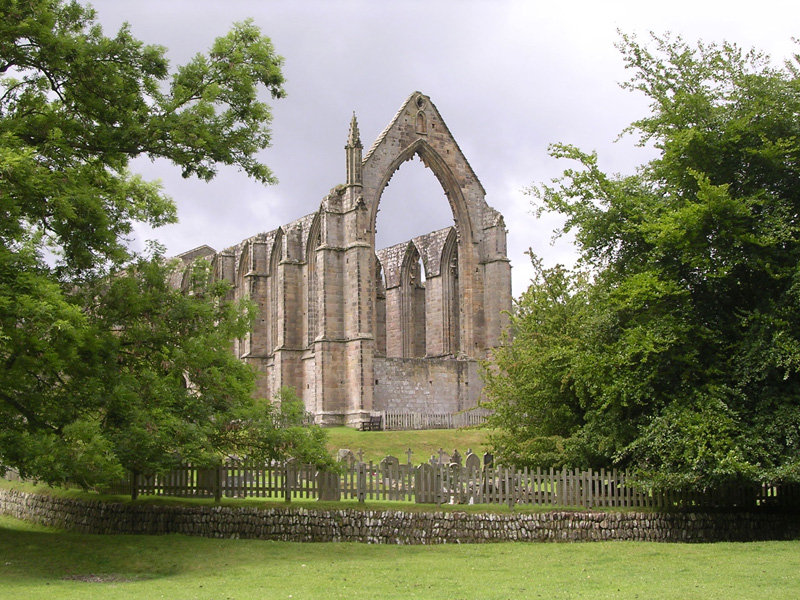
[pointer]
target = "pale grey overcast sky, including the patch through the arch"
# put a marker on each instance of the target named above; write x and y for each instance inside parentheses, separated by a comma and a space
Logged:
(508, 77)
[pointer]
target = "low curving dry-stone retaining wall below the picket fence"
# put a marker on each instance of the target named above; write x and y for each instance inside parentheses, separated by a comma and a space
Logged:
(393, 527)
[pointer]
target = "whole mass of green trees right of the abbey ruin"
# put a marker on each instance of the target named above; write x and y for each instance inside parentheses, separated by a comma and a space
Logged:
(674, 348)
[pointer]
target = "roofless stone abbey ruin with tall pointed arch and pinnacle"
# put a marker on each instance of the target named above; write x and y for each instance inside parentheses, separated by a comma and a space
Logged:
(355, 329)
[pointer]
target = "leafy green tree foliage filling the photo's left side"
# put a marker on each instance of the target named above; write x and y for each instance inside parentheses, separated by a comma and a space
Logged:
(103, 366)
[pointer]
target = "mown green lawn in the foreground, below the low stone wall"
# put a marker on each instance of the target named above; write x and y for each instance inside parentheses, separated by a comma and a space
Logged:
(36, 562)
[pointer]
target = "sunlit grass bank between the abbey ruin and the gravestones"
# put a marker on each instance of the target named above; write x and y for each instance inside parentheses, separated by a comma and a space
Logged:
(377, 444)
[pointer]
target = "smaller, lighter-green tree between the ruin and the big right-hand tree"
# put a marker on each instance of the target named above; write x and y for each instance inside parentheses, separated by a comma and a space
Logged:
(530, 379)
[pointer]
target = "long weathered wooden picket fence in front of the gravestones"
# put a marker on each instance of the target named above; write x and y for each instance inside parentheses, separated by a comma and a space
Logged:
(391, 480)
